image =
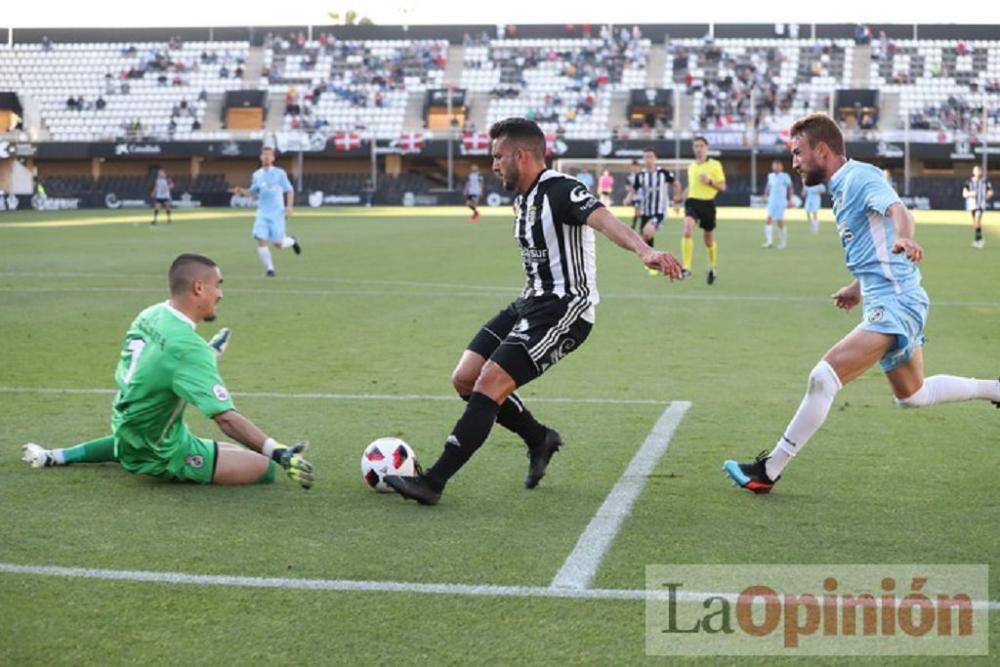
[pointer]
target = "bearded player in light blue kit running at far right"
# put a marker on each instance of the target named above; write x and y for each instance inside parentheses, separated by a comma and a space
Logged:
(877, 234)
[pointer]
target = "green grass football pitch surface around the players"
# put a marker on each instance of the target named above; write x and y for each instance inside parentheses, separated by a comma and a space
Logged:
(381, 304)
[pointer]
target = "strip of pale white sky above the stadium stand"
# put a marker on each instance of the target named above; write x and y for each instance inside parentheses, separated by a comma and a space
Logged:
(182, 13)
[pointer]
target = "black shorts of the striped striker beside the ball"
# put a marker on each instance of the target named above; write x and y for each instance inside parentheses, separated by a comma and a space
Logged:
(532, 334)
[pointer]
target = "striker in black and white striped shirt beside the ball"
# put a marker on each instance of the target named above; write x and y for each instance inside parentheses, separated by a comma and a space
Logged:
(554, 221)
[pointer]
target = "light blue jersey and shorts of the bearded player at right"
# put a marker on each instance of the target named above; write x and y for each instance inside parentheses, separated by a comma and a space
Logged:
(894, 302)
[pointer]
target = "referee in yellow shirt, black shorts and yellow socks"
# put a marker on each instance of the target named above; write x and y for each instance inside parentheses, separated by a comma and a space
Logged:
(705, 180)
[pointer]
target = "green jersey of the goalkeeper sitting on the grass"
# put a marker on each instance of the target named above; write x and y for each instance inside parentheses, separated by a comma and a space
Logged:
(164, 365)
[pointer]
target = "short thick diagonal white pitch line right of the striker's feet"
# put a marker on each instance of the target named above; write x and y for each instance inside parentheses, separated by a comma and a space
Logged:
(581, 565)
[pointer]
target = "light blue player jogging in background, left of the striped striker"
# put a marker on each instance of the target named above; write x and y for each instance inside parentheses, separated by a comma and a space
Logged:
(275, 199)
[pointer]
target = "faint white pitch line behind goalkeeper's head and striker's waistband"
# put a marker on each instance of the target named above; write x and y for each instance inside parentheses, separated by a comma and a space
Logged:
(480, 292)
